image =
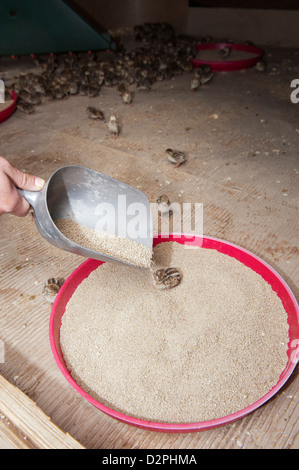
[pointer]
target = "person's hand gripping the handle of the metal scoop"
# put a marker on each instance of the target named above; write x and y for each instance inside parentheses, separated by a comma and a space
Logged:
(10, 179)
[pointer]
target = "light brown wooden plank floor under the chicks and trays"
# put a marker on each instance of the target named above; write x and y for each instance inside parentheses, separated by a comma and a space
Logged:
(241, 134)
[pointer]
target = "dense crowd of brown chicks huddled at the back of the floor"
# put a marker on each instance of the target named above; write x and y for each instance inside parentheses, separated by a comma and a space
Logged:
(162, 56)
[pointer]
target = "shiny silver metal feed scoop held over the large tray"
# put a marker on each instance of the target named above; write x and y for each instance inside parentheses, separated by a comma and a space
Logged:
(90, 198)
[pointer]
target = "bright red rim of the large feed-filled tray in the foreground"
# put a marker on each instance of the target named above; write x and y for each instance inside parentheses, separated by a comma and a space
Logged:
(248, 259)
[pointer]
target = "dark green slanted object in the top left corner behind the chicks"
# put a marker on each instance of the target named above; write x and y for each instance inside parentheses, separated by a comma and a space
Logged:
(45, 26)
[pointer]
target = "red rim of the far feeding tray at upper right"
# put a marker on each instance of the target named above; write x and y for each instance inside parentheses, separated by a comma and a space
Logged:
(229, 65)
